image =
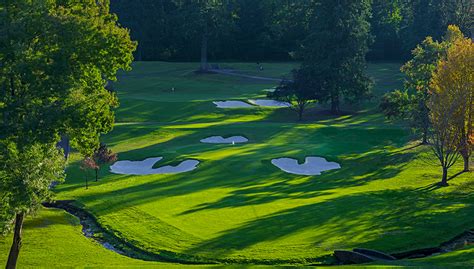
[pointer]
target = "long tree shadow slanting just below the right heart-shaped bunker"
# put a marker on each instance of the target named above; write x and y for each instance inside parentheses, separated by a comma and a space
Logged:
(357, 172)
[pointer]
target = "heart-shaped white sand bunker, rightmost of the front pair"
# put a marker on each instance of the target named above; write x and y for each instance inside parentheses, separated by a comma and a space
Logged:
(311, 167)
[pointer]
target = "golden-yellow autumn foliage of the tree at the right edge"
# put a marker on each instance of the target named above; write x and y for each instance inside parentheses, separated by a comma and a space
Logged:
(451, 102)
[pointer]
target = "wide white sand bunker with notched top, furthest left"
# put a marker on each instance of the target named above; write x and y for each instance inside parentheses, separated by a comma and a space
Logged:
(145, 167)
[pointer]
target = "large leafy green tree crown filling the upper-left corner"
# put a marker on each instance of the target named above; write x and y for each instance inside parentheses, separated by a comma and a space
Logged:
(60, 78)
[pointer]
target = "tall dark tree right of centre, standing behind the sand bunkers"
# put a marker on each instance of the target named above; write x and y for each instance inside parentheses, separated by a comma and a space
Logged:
(334, 52)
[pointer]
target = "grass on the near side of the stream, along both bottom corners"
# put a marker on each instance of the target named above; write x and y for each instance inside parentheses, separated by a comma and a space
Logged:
(53, 239)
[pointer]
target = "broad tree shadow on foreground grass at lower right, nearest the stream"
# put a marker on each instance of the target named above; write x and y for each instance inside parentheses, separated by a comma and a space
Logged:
(390, 220)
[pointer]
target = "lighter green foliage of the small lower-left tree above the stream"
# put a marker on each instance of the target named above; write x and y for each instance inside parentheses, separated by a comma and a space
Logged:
(26, 175)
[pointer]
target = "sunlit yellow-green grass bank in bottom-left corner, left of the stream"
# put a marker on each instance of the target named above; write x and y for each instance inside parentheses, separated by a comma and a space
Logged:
(57, 241)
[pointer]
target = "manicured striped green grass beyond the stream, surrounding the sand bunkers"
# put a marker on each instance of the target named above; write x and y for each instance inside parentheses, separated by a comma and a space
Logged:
(238, 207)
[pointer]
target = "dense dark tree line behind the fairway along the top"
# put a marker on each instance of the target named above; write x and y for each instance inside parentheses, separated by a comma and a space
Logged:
(275, 29)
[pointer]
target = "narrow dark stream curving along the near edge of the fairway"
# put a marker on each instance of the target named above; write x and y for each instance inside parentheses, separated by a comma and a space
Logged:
(92, 229)
